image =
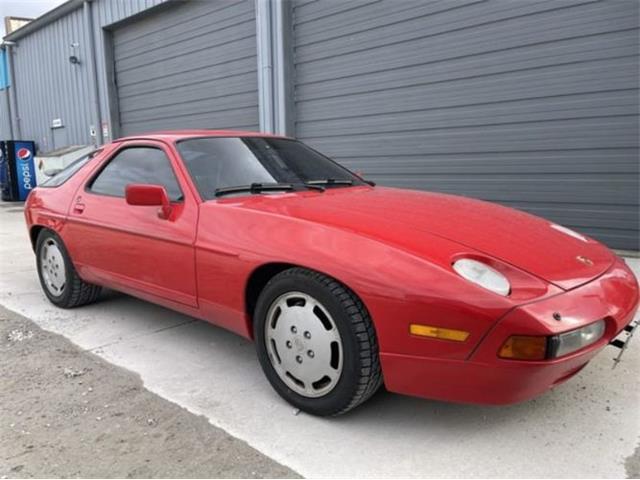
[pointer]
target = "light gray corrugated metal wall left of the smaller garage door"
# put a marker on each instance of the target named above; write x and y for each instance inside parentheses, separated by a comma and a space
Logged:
(50, 87)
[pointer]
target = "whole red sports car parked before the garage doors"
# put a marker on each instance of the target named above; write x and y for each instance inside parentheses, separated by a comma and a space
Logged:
(342, 285)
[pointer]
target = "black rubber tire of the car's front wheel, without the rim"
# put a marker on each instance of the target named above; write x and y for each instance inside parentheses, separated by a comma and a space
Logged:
(361, 374)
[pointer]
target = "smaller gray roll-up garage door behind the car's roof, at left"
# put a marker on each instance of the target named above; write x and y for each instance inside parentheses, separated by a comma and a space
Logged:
(188, 65)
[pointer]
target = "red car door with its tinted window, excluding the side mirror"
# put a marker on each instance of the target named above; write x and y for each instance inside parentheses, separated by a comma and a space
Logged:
(132, 247)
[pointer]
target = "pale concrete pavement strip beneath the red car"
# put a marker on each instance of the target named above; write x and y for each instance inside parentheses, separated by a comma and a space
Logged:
(588, 427)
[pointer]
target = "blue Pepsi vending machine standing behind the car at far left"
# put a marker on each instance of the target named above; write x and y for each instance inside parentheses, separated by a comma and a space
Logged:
(17, 169)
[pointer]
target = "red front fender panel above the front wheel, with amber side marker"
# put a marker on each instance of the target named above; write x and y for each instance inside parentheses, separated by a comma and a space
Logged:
(397, 287)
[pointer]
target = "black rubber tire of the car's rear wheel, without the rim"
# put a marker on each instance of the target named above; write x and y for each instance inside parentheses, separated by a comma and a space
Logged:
(75, 292)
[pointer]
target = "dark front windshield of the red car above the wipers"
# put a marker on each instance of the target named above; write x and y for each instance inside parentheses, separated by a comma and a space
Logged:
(217, 163)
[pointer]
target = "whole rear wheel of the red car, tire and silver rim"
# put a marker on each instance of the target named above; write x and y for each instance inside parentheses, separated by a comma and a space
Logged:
(58, 278)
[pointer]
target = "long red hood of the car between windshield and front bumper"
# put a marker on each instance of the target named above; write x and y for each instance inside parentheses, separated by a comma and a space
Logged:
(403, 217)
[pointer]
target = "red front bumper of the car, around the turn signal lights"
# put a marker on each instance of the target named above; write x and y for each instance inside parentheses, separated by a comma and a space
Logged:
(484, 378)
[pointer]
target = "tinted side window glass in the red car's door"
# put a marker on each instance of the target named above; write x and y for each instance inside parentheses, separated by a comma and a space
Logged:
(137, 165)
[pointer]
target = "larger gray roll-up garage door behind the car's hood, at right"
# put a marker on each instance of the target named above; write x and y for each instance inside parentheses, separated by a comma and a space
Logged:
(530, 104)
